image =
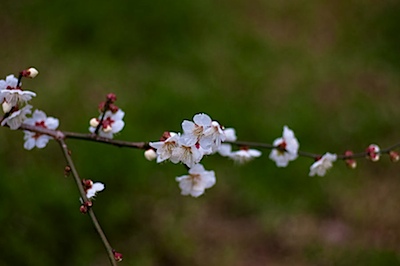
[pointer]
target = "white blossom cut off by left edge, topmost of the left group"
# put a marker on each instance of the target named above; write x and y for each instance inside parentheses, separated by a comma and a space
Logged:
(12, 94)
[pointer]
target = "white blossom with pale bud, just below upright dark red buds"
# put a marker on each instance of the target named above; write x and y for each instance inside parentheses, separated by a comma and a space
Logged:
(111, 124)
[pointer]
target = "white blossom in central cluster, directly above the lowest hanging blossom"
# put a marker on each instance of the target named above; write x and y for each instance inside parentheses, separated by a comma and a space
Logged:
(189, 155)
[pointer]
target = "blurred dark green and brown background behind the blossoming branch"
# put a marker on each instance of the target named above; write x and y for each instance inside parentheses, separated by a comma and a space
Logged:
(327, 69)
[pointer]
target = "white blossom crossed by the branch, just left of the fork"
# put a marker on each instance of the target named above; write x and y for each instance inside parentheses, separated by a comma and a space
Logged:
(39, 119)
